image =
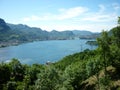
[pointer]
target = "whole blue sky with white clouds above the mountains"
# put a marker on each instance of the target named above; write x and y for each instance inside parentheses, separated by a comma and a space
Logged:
(60, 15)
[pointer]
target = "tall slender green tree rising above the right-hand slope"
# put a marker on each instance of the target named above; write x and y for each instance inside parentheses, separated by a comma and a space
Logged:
(104, 48)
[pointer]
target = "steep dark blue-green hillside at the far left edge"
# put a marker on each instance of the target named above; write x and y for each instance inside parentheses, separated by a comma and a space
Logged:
(7, 36)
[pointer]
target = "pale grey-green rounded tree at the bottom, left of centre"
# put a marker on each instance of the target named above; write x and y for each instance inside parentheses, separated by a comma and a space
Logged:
(48, 79)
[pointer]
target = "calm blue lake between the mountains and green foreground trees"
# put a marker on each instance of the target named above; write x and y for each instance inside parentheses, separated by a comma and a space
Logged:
(43, 51)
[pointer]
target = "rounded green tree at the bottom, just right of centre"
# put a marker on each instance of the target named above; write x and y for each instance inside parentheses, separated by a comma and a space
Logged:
(74, 75)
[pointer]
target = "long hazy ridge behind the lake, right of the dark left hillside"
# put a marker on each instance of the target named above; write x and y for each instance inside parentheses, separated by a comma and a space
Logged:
(39, 34)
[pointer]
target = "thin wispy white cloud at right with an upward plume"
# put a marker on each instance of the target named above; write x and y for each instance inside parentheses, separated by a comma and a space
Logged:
(101, 15)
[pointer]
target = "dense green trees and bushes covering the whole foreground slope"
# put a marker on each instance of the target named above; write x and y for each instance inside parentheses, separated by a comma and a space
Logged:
(88, 70)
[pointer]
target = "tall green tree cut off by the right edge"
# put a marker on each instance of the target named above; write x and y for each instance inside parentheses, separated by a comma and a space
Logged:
(115, 47)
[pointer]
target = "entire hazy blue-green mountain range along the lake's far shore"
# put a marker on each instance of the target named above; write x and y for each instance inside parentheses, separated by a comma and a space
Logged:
(11, 33)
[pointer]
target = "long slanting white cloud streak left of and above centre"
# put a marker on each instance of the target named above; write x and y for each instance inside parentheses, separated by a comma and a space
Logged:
(63, 14)
